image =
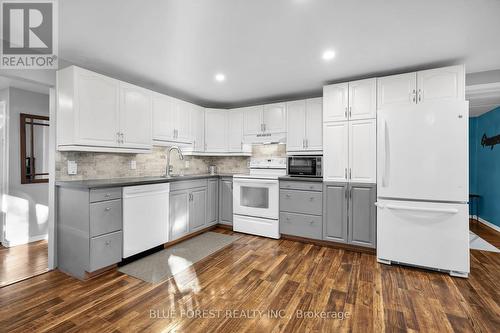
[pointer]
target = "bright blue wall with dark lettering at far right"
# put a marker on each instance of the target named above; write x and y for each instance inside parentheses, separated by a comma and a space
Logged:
(484, 164)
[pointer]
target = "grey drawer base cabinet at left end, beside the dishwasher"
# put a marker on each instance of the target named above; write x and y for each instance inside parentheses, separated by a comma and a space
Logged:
(89, 229)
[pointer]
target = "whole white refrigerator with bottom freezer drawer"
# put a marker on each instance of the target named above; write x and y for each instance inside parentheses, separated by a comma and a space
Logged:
(422, 186)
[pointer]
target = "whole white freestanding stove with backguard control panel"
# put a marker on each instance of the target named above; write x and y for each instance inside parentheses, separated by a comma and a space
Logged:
(256, 198)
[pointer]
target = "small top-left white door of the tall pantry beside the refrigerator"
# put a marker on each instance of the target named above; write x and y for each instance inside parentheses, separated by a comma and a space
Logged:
(335, 102)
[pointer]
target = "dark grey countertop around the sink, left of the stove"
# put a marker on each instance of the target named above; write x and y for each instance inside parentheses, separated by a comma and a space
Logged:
(119, 182)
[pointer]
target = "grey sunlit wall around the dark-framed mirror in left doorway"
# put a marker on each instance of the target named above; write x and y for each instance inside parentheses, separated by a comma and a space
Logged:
(27, 204)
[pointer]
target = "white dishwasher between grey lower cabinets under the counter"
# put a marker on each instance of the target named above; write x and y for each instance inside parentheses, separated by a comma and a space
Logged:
(145, 217)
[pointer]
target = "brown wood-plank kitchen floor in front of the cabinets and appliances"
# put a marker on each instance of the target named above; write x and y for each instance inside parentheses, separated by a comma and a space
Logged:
(259, 274)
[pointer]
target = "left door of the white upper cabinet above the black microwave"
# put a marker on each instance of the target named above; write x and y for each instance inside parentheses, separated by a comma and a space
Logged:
(295, 139)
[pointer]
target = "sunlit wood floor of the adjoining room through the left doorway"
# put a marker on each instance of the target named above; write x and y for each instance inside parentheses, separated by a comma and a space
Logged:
(22, 261)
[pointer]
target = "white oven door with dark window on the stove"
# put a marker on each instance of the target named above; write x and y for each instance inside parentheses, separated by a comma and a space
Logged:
(256, 197)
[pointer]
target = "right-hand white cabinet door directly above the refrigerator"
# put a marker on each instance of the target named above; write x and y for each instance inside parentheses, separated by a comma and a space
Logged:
(441, 83)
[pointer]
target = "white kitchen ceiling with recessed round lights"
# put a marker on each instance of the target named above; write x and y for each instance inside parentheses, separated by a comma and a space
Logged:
(272, 49)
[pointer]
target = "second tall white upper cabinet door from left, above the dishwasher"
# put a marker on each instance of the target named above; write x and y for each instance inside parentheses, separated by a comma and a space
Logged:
(135, 116)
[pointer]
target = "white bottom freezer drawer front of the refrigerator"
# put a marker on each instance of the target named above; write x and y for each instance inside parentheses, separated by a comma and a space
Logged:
(428, 234)
